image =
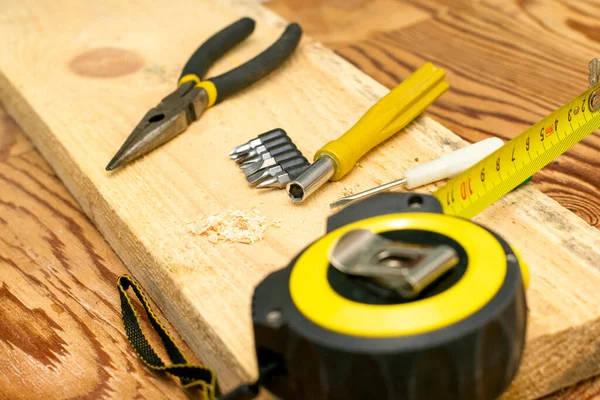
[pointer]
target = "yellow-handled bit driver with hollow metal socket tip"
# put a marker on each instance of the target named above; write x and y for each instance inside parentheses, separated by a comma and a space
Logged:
(388, 116)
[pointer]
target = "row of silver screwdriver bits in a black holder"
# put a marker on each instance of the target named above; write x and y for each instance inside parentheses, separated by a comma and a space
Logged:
(271, 160)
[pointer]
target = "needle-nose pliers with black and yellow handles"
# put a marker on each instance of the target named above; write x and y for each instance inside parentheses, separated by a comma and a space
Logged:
(186, 104)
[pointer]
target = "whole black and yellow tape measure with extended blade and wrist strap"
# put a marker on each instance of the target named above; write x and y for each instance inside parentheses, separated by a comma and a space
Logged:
(401, 298)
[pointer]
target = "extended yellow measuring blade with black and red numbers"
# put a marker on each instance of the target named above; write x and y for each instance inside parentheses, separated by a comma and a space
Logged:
(487, 181)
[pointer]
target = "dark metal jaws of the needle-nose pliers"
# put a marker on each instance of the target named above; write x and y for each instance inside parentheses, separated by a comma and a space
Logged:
(162, 123)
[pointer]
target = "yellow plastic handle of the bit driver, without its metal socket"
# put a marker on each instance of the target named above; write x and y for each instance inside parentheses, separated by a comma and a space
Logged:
(386, 117)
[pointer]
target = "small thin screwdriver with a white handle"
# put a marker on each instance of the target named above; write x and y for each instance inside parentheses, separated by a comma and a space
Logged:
(444, 167)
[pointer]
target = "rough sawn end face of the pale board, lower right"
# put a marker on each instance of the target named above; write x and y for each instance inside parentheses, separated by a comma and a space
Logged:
(575, 351)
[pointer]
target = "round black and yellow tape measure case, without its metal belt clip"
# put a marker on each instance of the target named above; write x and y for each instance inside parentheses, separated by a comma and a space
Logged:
(333, 335)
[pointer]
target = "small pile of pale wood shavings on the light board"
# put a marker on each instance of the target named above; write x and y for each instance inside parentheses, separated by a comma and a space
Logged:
(237, 226)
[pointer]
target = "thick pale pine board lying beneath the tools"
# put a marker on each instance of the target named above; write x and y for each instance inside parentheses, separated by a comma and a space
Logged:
(78, 89)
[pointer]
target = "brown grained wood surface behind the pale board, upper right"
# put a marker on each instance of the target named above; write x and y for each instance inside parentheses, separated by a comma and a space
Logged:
(509, 64)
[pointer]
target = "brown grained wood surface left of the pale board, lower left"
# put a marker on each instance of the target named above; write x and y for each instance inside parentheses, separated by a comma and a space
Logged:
(61, 334)
